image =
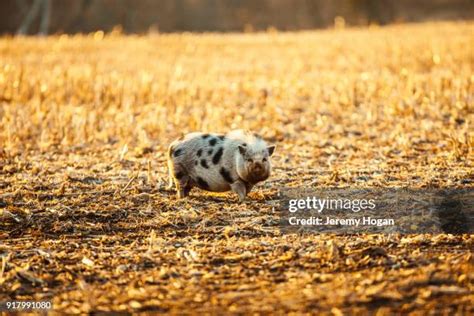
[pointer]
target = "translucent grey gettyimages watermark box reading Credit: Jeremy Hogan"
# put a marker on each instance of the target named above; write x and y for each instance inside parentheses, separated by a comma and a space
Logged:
(335, 210)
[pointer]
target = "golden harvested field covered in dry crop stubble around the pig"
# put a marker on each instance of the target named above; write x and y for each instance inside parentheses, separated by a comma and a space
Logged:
(86, 220)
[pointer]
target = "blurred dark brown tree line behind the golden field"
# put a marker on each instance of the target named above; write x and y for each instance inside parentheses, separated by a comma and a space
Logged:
(140, 16)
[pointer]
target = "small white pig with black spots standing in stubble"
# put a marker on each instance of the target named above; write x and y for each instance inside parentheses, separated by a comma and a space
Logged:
(215, 162)
